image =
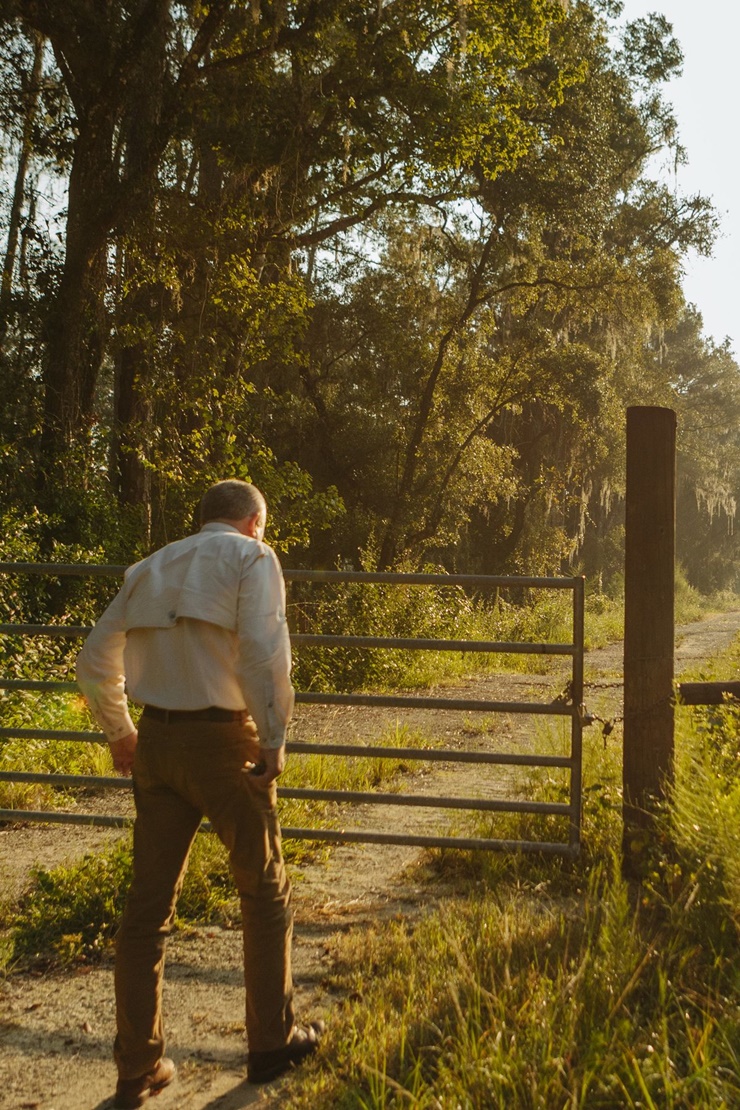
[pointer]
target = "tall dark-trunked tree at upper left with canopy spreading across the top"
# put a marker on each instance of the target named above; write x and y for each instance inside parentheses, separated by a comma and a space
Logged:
(339, 127)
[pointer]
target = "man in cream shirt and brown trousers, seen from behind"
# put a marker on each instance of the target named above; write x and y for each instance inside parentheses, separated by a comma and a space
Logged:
(198, 634)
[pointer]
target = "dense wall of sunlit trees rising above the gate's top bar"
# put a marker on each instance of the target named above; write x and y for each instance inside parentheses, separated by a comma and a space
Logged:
(409, 288)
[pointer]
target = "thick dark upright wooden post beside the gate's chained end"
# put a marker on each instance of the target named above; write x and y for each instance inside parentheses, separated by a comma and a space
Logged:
(650, 569)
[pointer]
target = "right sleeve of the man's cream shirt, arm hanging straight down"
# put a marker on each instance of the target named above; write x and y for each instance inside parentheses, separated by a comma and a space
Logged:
(265, 649)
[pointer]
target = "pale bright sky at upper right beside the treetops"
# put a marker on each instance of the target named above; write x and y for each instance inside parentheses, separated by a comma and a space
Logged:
(706, 103)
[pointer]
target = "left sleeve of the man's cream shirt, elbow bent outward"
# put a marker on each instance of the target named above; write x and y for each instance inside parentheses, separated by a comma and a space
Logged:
(100, 672)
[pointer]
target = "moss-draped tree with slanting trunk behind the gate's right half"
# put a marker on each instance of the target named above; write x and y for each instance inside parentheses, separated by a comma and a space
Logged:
(483, 361)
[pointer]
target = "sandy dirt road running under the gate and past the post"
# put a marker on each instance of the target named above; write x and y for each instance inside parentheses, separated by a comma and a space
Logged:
(56, 1031)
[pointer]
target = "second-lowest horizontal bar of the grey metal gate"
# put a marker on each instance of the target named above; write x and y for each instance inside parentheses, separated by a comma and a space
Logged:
(357, 798)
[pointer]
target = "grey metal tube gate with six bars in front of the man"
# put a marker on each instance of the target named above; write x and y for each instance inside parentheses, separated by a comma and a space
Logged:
(570, 707)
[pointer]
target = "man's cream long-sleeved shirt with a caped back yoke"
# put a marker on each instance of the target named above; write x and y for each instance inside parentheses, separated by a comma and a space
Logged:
(200, 623)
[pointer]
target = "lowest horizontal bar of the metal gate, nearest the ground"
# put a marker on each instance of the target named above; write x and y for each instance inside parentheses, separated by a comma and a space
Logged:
(336, 836)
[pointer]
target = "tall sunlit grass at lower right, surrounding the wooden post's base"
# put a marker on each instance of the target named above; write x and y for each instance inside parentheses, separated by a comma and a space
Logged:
(559, 985)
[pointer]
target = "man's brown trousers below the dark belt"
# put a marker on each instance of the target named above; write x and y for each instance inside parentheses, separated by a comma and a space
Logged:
(183, 772)
